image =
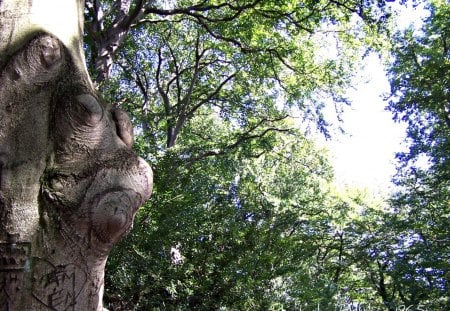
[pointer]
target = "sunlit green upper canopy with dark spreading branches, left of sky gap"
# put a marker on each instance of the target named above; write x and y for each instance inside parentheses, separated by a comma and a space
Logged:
(179, 56)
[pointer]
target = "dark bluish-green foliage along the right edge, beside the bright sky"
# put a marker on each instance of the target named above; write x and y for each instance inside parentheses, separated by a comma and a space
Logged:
(420, 97)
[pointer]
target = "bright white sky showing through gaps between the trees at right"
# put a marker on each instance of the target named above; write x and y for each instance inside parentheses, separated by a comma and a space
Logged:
(365, 156)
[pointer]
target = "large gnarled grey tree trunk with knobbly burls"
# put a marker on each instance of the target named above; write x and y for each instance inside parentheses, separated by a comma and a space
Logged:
(69, 181)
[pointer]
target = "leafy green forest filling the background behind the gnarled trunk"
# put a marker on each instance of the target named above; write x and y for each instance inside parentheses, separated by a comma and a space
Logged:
(227, 99)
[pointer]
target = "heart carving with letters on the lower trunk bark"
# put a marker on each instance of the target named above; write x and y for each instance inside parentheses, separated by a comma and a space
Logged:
(57, 287)
